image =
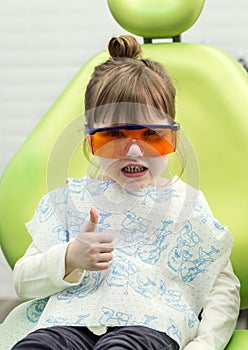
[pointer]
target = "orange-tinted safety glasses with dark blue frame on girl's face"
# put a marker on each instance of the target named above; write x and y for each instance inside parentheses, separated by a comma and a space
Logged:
(115, 141)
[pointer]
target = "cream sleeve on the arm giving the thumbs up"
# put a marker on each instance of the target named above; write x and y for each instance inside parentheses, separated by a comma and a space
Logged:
(39, 274)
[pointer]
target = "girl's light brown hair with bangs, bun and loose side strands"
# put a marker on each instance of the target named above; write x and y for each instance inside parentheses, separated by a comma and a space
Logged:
(127, 88)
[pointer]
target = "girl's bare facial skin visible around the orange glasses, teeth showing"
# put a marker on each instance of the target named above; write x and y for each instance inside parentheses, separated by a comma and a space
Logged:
(134, 171)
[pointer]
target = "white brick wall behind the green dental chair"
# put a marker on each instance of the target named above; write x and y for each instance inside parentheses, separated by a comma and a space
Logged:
(44, 43)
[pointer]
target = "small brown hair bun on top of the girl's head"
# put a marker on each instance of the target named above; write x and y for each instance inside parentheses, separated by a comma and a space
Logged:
(124, 46)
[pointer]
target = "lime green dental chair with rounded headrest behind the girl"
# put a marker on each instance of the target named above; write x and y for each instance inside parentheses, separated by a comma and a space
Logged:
(211, 105)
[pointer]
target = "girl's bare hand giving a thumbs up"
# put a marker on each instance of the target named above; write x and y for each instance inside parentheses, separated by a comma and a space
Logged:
(90, 250)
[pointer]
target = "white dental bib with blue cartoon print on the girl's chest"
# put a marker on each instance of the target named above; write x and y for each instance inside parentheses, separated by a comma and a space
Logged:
(168, 252)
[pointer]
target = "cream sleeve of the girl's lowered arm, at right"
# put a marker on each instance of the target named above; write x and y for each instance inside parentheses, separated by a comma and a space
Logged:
(219, 314)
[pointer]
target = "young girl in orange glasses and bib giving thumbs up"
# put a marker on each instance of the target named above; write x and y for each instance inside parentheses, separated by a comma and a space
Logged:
(129, 259)
